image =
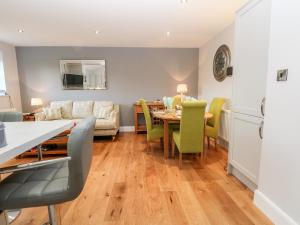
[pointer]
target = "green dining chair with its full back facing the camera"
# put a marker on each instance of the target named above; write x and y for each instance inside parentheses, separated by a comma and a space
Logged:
(190, 137)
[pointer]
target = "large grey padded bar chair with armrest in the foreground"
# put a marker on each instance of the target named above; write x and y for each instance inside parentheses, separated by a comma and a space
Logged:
(50, 182)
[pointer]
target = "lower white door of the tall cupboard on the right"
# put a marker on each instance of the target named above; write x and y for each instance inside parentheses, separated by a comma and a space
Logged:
(245, 144)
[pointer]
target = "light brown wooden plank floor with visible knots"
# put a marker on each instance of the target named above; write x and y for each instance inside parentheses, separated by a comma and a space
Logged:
(127, 185)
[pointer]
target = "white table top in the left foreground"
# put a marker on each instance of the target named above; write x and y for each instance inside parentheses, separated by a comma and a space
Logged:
(22, 136)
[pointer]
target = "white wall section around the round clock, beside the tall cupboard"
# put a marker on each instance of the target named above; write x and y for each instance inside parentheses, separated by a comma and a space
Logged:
(208, 87)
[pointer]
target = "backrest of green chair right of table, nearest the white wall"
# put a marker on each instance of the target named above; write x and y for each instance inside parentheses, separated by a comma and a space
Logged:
(215, 109)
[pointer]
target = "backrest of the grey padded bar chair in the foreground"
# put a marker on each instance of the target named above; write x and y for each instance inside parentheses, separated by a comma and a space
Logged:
(80, 148)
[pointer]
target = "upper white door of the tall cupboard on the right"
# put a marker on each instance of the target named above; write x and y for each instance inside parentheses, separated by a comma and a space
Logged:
(251, 57)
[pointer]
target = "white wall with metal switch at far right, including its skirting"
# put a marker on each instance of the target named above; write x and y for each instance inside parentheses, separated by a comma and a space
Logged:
(278, 193)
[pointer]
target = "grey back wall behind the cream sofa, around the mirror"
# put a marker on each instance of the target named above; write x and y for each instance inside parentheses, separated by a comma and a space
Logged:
(132, 73)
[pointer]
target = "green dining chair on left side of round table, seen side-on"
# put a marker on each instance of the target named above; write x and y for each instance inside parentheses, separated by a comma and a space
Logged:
(153, 131)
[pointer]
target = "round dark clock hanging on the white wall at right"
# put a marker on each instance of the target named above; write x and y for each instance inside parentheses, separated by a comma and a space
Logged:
(222, 61)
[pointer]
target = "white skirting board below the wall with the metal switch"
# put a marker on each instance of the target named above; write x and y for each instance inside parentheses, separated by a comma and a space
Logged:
(275, 214)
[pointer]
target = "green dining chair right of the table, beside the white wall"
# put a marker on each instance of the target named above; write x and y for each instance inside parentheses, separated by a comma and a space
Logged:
(213, 124)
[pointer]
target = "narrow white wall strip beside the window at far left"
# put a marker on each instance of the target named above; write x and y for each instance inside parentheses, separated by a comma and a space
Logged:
(11, 77)
